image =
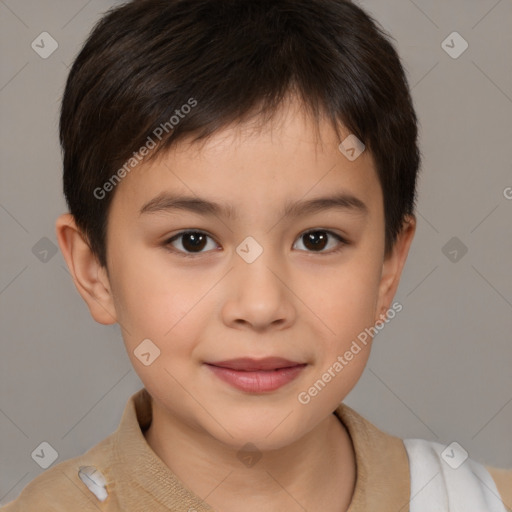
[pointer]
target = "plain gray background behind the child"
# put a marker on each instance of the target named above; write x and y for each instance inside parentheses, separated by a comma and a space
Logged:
(440, 370)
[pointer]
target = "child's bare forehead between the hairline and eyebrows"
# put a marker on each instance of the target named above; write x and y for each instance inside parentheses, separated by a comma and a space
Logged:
(254, 165)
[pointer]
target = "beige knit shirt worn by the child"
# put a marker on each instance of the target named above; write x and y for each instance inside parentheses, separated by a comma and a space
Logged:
(138, 480)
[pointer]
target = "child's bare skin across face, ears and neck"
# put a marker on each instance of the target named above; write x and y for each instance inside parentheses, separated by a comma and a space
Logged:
(293, 301)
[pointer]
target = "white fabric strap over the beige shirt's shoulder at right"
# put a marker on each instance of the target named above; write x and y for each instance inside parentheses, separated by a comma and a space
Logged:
(444, 479)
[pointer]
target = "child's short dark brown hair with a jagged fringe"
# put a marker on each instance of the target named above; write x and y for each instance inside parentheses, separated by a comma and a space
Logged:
(146, 59)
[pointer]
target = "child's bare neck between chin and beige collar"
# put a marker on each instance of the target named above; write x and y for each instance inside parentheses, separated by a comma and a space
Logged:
(317, 472)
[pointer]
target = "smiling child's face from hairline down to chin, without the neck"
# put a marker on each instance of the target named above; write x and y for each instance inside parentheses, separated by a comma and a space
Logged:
(297, 300)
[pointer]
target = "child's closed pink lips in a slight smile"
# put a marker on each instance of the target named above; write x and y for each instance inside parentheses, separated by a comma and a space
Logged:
(257, 375)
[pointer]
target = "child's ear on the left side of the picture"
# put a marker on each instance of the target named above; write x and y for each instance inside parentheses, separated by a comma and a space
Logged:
(90, 278)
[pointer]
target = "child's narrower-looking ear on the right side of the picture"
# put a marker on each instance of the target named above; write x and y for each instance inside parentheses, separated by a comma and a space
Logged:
(393, 265)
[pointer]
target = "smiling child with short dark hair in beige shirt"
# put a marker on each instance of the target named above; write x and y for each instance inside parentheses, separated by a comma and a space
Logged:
(278, 140)
